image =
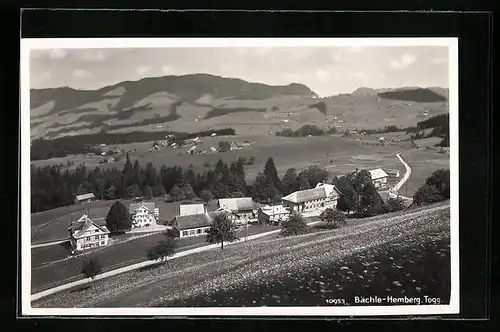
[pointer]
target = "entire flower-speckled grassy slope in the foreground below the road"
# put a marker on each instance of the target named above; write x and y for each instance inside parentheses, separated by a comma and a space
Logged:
(245, 274)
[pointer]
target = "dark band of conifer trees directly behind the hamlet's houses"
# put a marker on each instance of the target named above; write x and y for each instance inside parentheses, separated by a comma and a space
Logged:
(51, 187)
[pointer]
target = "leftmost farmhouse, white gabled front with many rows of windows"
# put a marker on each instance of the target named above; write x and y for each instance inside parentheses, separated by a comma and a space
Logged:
(86, 234)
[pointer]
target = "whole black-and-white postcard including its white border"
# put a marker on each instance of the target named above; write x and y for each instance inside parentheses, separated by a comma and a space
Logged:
(239, 176)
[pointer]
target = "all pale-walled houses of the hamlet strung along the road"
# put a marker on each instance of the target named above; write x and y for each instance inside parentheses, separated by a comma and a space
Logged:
(195, 220)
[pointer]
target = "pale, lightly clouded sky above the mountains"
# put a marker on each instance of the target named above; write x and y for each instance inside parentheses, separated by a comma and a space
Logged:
(325, 70)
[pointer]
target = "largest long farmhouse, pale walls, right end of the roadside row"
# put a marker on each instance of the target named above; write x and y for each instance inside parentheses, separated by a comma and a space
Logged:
(322, 197)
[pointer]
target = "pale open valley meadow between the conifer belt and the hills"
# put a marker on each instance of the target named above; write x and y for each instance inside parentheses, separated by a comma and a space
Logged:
(337, 154)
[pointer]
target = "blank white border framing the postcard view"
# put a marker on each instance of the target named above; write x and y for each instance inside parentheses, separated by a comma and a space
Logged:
(74, 43)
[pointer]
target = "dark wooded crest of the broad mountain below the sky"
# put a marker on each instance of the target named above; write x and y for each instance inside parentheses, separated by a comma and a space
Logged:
(187, 88)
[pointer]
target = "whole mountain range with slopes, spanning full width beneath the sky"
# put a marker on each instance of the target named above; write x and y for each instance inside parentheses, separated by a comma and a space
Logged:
(202, 102)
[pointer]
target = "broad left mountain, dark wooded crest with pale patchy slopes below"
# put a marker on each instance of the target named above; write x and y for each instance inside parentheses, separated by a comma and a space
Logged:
(149, 101)
